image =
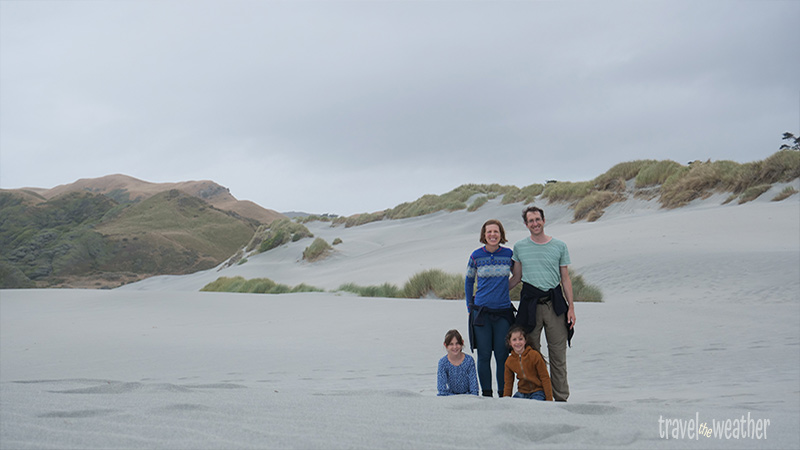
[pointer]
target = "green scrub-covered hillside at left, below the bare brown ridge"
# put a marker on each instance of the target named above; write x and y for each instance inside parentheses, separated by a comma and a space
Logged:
(90, 240)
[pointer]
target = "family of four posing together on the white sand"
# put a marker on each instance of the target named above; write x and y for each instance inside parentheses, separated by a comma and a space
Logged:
(541, 263)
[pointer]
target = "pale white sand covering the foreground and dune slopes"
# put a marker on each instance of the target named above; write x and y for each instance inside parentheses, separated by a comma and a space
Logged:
(700, 327)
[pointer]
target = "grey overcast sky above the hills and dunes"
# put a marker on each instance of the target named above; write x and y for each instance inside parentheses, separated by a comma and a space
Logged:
(357, 106)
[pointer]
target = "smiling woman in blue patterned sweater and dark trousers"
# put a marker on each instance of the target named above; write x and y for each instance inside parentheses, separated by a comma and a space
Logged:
(491, 311)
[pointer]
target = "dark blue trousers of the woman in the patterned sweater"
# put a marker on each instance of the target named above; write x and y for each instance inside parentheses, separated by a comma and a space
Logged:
(491, 337)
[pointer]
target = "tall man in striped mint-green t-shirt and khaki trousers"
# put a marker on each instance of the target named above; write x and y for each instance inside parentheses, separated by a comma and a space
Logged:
(546, 298)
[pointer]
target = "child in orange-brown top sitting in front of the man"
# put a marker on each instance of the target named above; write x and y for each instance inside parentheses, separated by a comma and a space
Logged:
(529, 367)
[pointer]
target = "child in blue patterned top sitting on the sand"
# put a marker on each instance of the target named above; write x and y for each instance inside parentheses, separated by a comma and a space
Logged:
(456, 374)
